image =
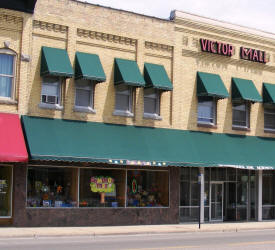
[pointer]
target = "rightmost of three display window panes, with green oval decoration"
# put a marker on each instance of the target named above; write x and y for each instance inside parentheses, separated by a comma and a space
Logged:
(147, 188)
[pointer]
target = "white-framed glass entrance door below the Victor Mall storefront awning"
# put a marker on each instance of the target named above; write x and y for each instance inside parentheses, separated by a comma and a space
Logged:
(216, 201)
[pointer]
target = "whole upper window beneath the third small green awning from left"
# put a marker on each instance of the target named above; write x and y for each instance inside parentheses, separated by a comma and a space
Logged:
(124, 100)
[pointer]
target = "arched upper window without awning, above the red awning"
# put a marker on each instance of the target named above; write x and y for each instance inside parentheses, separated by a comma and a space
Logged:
(7, 73)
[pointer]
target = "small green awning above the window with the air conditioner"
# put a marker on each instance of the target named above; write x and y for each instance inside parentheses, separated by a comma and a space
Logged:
(55, 62)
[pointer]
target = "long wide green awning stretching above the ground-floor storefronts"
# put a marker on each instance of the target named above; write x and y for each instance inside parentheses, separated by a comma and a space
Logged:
(79, 141)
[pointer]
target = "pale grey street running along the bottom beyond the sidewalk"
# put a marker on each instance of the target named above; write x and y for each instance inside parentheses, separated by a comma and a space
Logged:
(264, 239)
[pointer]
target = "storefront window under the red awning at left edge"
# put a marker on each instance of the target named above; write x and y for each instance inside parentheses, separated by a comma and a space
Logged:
(5, 191)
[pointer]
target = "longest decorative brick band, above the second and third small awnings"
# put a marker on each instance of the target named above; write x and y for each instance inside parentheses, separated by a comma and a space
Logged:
(106, 37)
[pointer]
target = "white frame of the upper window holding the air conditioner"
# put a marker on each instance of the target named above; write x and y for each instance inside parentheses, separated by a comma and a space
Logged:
(57, 105)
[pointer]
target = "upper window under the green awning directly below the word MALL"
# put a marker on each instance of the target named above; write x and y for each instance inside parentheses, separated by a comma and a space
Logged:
(240, 114)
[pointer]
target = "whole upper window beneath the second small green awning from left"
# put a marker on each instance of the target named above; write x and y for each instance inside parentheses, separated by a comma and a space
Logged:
(84, 96)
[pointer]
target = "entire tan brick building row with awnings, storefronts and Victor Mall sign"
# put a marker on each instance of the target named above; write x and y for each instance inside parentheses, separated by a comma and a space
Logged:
(122, 114)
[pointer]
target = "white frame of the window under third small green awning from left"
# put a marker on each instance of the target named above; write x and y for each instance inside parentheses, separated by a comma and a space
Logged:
(129, 111)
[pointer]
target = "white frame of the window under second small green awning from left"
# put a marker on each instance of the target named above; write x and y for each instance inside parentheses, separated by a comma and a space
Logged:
(90, 86)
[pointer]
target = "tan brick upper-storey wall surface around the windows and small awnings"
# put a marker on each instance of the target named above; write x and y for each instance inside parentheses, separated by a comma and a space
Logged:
(110, 33)
